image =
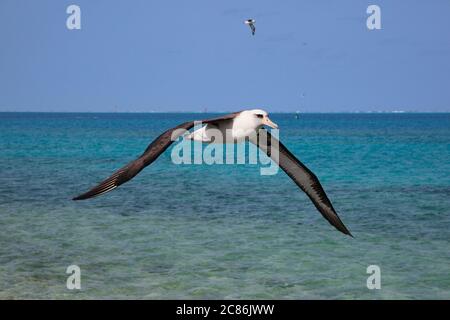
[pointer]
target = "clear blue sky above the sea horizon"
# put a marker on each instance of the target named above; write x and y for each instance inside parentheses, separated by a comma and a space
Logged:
(312, 56)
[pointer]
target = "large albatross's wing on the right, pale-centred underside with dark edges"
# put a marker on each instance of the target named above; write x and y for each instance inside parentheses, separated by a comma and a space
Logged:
(301, 175)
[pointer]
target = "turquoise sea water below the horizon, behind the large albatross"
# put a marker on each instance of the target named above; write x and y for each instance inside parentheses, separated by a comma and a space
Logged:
(200, 231)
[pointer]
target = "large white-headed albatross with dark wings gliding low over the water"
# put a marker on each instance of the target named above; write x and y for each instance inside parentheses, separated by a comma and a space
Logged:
(243, 125)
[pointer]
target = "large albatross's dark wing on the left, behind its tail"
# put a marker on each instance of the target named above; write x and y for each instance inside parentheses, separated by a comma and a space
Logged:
(153, 151)
